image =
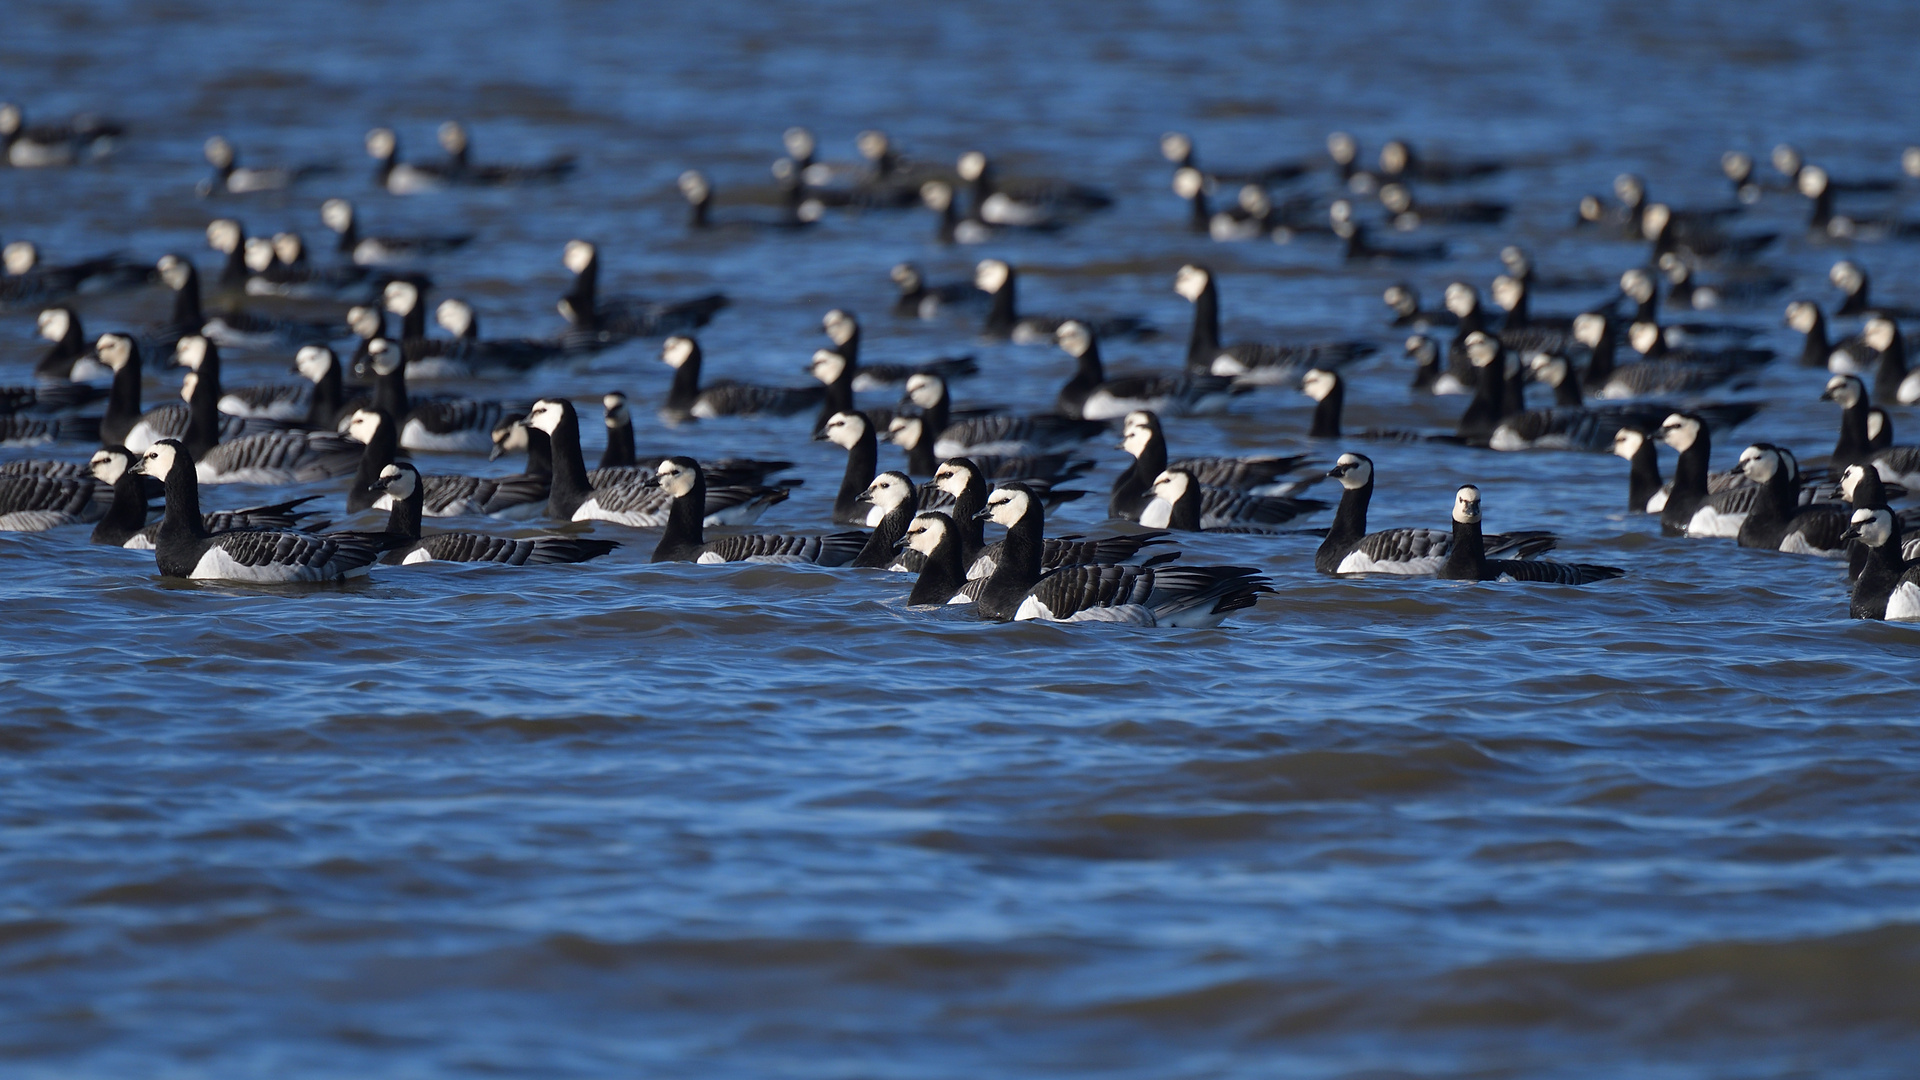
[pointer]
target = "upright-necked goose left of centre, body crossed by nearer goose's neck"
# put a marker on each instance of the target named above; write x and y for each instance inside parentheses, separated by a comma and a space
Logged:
(629, 501)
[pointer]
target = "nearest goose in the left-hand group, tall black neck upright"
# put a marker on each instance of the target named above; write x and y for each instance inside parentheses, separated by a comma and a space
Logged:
(185, 549)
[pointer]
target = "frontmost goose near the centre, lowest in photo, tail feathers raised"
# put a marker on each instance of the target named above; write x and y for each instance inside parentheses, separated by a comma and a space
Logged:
(1022, 589)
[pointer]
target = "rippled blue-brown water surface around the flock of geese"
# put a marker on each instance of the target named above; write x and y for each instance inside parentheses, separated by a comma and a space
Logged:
(759, 822)
